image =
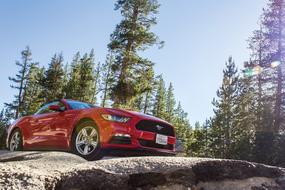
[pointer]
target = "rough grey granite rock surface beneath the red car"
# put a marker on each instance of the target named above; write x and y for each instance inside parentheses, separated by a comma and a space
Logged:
(59, 170)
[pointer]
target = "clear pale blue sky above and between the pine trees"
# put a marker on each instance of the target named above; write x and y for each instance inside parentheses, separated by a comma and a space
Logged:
(199, 36)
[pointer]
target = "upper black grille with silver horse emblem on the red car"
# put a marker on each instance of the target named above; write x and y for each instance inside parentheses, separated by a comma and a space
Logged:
(155, 127)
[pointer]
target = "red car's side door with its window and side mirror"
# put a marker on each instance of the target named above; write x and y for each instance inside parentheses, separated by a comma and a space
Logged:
(42, 127)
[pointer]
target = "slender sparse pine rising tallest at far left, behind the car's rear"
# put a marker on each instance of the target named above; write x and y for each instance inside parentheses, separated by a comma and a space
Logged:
(20, 81)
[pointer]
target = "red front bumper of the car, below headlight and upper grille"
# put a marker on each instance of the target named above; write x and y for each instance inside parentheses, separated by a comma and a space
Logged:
(125, 139)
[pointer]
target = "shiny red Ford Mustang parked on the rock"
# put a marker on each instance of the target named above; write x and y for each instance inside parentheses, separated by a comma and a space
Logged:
(91, 131)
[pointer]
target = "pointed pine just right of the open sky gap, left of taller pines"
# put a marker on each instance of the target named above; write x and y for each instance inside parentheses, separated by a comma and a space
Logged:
(224, 109)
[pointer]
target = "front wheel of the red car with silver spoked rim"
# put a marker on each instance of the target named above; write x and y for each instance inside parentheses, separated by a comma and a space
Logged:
(86, 141)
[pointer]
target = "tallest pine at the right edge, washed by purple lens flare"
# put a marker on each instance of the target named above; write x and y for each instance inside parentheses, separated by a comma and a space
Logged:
(267, 47)
